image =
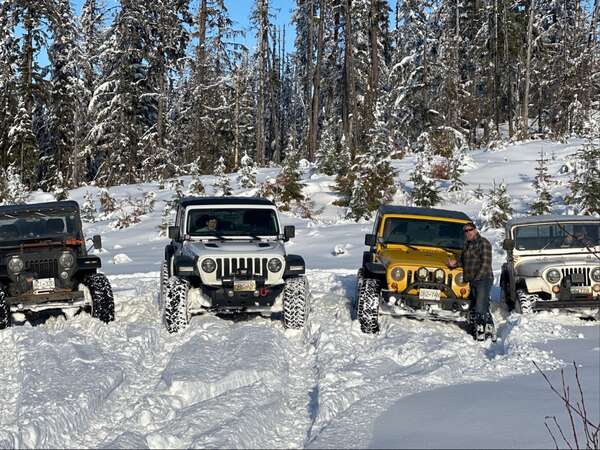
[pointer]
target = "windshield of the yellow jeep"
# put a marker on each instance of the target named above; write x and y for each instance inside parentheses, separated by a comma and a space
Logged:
(430, 233)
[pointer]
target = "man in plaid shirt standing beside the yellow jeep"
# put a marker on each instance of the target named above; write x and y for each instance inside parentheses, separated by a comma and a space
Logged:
(476, 261)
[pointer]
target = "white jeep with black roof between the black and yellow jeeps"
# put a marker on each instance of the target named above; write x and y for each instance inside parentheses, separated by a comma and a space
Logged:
(227, 256)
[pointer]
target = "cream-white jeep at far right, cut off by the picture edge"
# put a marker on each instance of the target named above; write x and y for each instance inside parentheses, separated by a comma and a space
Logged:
(552, 262)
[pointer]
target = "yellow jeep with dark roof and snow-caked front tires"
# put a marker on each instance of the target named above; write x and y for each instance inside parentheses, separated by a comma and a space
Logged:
(405, 271)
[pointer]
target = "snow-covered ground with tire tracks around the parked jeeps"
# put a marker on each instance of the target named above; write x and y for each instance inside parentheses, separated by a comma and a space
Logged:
(249, 383)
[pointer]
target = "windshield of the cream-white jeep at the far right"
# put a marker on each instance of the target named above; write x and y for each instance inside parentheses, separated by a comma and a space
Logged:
(557, 235)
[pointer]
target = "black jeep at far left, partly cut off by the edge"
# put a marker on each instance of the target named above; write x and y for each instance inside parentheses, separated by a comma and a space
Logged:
(44, 263)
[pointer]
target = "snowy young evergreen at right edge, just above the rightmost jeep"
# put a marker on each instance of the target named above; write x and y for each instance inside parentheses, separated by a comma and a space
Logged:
(585, 182)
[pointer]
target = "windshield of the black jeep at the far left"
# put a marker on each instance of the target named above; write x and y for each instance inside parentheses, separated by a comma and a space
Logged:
(38, 225)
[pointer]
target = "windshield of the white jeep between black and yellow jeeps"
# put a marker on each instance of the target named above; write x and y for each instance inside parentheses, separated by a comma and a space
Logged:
(225, 222)
